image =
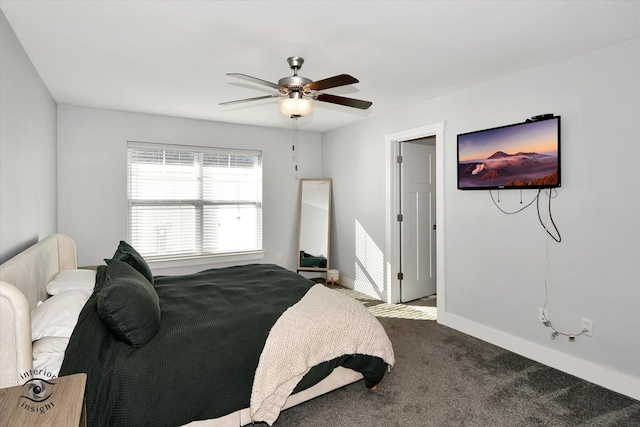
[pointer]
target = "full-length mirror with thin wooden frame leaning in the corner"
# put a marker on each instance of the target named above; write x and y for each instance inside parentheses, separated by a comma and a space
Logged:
(314, 218)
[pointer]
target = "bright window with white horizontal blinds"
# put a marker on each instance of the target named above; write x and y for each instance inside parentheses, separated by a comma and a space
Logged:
(193, 201)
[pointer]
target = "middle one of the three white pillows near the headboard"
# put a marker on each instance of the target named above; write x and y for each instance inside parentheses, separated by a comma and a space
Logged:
(57, 316)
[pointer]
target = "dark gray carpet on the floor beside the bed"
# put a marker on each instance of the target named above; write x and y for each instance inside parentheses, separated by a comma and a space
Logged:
(445, 378)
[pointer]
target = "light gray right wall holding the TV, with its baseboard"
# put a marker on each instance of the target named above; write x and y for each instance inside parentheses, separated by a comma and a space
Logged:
(496, 265)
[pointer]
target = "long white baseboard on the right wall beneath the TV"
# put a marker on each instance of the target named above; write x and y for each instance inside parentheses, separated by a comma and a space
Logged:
(604, 377)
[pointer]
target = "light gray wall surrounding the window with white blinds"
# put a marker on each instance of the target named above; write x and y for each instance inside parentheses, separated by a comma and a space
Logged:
(93, 175)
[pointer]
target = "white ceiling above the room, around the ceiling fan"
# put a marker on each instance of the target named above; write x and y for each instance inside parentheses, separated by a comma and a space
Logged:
(171, 57)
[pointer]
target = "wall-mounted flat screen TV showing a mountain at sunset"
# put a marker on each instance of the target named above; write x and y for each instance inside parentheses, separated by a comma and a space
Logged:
(518, 156)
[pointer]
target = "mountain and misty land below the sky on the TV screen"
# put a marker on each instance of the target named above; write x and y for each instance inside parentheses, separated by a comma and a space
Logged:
(510, 170)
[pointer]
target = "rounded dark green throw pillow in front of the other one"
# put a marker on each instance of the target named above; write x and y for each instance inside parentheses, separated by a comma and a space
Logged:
(128, 304)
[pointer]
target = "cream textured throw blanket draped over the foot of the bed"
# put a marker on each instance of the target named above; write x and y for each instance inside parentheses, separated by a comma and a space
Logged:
(322, 326)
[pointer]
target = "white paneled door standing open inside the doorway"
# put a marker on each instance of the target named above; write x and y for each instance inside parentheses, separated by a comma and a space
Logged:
(417, 225)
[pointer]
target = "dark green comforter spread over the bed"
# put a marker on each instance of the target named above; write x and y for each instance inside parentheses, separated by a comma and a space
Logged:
(201, 362)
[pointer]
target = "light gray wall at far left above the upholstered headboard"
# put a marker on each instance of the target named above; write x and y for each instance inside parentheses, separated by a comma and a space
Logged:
(28, 200)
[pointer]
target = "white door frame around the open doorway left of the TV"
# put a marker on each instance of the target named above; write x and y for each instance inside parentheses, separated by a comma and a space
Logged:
(393, 207)
